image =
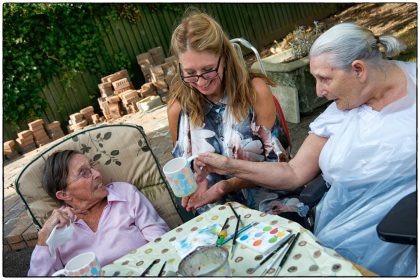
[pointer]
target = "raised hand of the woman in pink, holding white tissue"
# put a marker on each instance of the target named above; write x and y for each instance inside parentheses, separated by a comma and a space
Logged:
(61, 217)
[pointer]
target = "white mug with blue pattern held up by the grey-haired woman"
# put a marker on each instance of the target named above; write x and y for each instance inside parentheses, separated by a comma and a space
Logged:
(180, 176)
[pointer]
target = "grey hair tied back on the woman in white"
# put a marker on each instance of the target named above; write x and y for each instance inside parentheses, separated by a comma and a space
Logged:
(347, 42)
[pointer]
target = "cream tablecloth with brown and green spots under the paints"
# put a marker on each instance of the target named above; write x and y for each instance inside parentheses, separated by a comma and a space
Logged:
(308, 258)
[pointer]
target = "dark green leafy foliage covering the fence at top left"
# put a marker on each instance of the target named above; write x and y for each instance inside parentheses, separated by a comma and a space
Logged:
(43, 41)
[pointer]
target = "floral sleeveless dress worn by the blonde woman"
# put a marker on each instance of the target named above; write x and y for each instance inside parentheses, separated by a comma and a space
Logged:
(245, 140)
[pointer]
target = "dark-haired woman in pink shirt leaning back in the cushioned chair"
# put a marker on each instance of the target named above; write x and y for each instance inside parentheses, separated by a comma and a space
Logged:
(110, 220)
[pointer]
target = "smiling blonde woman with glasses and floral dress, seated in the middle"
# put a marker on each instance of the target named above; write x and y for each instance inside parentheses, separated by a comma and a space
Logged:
(218, 106)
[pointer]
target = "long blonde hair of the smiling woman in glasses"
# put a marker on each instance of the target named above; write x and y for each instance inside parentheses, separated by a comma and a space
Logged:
(200, 32)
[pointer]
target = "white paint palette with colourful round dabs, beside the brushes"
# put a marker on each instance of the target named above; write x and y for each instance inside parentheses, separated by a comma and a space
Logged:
(263, 238)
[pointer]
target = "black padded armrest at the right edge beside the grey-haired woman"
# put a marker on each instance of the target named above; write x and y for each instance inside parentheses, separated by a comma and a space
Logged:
(400, 224)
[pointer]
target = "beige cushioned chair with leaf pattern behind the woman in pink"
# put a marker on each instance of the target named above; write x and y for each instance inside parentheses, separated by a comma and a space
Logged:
(122, 153)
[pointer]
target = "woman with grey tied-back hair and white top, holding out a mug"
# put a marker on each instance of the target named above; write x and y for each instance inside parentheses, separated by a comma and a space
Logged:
(364, 144)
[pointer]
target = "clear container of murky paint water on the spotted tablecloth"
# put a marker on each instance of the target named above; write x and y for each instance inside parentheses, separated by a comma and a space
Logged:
(205, 261)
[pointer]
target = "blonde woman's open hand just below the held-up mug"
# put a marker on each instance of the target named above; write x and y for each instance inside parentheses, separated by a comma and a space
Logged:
(204, 195)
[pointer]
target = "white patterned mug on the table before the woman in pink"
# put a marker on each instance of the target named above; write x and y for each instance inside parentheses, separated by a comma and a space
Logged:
(85, 264)
